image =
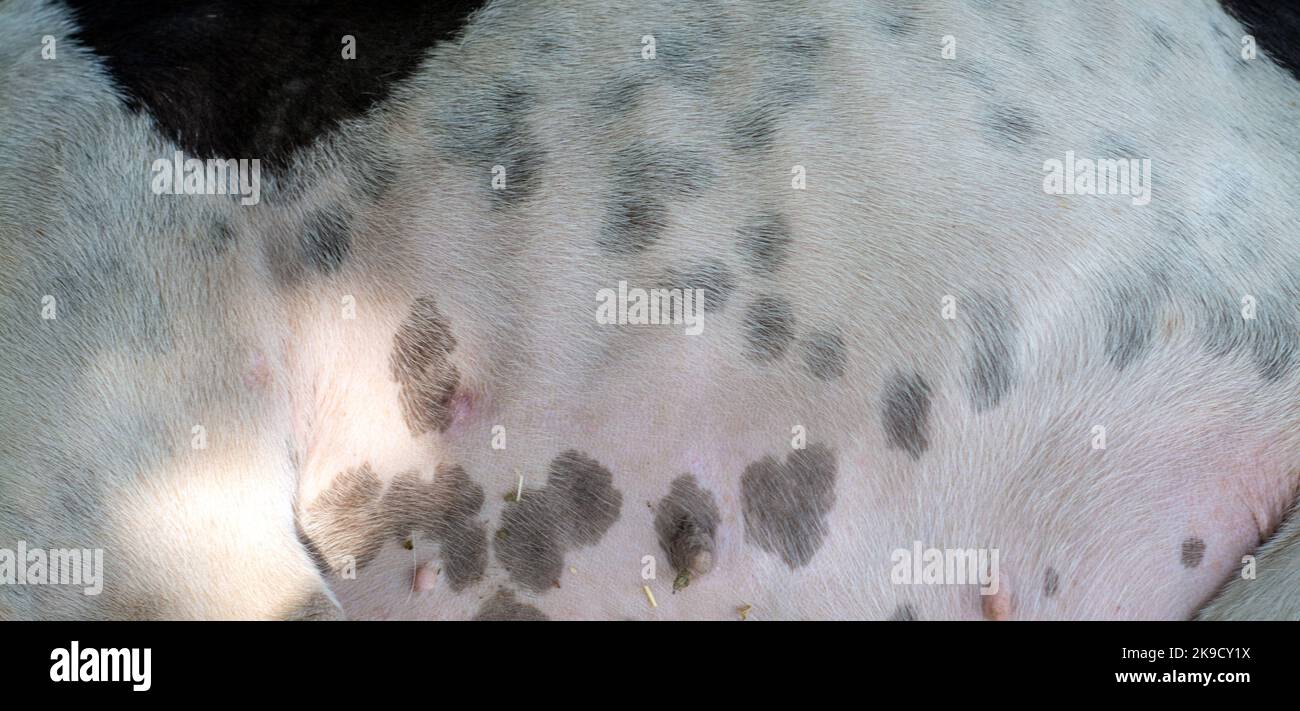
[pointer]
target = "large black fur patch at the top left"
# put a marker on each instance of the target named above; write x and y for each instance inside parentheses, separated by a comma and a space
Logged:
(226, 79)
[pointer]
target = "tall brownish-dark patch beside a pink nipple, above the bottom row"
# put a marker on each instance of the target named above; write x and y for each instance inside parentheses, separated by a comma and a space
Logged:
(423, 368)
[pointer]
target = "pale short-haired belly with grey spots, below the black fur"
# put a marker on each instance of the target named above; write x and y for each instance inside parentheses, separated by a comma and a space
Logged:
(912, 343)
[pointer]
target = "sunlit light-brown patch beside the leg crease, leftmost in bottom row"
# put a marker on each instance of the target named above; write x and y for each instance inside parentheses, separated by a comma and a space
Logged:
(345, 521)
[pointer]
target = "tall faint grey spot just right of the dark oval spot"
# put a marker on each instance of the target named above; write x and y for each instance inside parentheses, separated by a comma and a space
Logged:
(993, 365)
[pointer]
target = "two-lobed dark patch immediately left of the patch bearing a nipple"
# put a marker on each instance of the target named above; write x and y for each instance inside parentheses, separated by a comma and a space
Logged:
(575, 509)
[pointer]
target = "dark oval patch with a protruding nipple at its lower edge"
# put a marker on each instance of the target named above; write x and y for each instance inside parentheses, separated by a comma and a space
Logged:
(686, 523)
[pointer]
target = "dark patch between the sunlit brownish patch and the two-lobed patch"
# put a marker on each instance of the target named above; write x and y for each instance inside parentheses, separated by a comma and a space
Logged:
(447, 510)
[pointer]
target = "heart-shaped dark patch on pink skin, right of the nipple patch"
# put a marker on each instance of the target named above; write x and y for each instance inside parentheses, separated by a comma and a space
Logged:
(786, 504)
